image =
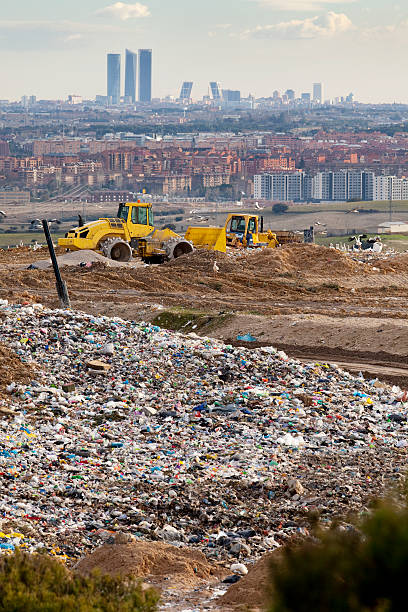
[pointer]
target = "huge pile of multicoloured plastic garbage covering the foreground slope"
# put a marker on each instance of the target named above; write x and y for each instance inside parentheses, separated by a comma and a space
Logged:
(129, 428)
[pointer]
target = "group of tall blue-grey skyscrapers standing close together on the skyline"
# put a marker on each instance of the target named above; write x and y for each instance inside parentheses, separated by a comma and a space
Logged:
(138, 70)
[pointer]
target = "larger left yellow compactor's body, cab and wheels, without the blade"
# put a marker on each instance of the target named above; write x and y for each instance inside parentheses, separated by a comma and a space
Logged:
(131, 232)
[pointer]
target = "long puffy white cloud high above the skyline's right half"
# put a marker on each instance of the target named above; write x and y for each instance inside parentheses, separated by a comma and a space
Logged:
(326, 26)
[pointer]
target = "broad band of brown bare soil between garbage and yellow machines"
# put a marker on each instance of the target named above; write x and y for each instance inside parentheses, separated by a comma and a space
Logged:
(311, 301)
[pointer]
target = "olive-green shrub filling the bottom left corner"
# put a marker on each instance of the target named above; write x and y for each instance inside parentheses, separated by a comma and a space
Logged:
(38, 583)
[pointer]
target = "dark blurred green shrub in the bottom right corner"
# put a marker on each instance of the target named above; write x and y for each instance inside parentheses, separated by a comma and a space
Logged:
(357, 570)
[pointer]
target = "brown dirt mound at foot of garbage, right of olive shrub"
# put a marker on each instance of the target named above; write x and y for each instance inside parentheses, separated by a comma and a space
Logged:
(154, 561)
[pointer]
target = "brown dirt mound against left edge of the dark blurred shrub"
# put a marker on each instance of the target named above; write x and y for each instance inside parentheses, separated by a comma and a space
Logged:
(251, 591)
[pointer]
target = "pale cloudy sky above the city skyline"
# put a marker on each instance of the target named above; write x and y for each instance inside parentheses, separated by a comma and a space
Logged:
(52, 48)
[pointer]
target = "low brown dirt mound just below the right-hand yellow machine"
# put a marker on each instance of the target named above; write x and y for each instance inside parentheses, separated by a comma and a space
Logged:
(307, 258)
